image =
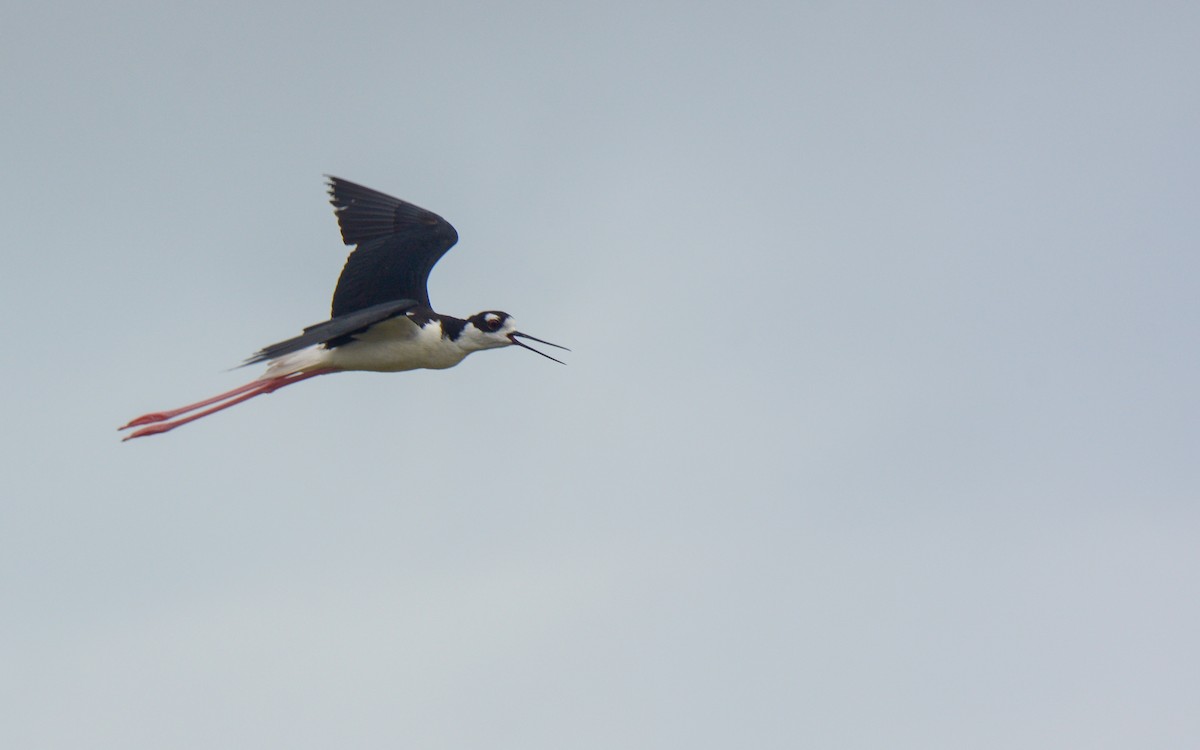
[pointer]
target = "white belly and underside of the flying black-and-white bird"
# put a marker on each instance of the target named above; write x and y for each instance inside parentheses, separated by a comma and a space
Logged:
(392, 346)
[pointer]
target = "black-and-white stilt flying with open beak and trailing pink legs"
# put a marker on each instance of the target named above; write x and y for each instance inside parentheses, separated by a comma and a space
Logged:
(381, 320)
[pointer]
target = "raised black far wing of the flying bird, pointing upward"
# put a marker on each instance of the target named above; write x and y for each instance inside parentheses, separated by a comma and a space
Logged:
(398, 245)
